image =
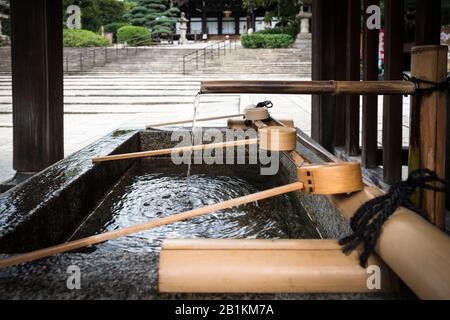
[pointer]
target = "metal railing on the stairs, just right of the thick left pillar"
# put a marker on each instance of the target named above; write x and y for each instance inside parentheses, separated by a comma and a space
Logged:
(90, 58)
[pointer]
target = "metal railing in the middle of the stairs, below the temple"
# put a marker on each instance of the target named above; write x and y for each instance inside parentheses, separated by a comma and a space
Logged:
(208, 53)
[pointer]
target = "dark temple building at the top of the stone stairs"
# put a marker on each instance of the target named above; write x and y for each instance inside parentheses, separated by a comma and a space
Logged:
(221, 17)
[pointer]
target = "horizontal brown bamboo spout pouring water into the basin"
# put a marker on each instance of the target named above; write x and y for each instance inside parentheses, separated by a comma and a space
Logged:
(309, 87)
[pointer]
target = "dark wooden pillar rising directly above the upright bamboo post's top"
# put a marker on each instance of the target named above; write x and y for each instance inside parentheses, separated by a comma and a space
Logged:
(428, 22)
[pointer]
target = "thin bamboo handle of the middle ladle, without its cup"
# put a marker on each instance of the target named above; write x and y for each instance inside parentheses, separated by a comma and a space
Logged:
(155, 153)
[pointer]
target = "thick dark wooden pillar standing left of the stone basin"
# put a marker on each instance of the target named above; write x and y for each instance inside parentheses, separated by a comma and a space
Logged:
(37, 80)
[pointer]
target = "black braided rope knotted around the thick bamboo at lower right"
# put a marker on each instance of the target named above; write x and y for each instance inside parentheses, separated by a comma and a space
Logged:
(368, 220)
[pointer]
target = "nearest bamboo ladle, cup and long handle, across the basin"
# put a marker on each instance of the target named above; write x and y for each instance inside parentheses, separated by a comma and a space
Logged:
(324, 179)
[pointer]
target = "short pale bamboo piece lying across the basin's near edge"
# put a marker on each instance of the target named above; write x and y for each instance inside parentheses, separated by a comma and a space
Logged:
(262, 266)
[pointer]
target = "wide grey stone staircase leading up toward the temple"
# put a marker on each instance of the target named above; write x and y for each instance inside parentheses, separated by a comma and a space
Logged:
(169, 60)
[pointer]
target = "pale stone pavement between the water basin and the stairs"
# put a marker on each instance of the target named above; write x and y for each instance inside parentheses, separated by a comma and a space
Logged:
(98, 104)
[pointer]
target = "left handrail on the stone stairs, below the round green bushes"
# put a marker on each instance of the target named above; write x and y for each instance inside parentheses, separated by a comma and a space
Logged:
(87, 52)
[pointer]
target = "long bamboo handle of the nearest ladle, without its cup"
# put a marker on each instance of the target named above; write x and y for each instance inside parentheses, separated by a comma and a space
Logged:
(81, 243)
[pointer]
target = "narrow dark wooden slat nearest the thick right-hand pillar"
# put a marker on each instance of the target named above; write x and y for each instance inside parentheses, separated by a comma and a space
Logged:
(353, 74)
